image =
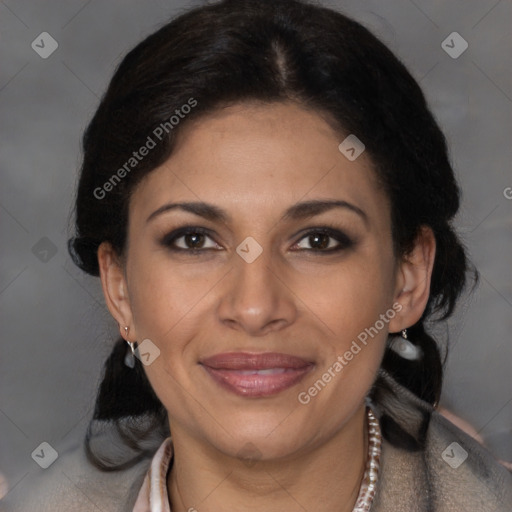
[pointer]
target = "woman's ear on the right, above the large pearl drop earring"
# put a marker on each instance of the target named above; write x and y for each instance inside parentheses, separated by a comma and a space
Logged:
(413, 278)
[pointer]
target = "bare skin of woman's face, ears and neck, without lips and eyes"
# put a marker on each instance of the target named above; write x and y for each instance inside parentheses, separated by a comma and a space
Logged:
(254, 161)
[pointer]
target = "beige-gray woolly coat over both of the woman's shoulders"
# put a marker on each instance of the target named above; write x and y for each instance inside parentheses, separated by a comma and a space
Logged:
(420, 481)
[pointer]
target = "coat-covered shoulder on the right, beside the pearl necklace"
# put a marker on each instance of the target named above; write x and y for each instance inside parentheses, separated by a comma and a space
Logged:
(431, 464)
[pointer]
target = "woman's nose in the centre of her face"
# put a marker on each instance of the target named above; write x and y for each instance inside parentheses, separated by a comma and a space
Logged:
(257, 299)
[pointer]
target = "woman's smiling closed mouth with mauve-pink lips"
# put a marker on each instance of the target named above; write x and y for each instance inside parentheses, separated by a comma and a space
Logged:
(256, 375)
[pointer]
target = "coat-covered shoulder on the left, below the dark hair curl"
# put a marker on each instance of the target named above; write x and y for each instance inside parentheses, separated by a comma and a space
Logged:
(72, 483)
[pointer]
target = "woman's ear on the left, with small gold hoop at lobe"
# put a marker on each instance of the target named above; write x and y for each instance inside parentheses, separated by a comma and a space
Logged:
(113, 282)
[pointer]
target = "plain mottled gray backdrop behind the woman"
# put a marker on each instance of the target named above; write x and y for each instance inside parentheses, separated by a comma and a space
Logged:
(55, 330)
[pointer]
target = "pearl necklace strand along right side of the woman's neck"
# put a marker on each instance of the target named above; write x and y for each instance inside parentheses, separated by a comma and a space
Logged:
(369, 484)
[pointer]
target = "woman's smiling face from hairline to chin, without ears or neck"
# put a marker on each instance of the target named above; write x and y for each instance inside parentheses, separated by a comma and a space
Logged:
(273, 285)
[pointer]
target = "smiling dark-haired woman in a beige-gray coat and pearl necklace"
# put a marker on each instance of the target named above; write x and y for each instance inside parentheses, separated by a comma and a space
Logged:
(268, 202)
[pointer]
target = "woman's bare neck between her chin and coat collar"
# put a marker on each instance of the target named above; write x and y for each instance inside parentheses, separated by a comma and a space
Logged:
(326, 477)
